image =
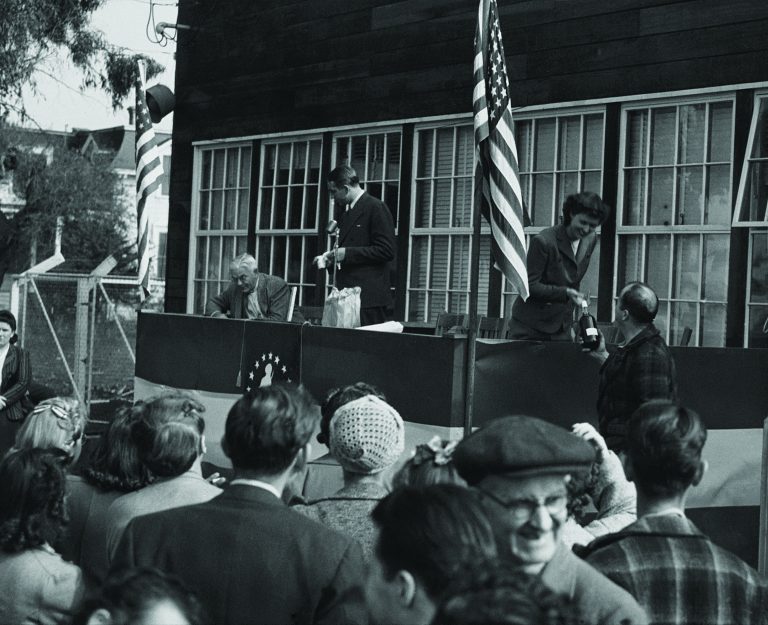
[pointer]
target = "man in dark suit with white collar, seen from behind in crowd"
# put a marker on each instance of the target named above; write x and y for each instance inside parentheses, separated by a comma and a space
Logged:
(246, 555)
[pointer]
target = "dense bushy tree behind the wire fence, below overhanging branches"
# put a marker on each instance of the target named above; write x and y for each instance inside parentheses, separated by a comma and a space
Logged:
(63, 186)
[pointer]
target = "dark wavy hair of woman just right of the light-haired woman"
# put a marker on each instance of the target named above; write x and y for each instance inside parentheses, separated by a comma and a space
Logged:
(115, 463)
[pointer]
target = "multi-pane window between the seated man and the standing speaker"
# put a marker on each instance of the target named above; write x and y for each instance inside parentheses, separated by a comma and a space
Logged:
(288, 208)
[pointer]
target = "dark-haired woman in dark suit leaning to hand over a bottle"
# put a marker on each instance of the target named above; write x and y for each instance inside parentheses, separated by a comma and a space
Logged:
(558, 258)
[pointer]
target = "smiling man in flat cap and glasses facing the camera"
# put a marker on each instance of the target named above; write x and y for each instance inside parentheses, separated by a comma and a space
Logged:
(521, 465)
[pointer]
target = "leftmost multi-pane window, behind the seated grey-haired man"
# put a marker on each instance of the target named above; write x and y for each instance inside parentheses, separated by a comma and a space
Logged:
(219, 219)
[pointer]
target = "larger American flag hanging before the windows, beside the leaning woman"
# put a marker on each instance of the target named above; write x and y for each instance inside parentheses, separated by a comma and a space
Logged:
(496, 173)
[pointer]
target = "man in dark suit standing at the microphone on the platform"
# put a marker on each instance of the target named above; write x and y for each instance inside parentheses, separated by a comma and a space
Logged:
(366, 245)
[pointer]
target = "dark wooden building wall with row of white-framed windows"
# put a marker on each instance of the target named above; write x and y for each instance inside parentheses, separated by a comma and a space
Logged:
(661, 106)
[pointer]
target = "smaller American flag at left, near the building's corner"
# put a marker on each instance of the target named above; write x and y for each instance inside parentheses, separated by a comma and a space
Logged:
(149, 168)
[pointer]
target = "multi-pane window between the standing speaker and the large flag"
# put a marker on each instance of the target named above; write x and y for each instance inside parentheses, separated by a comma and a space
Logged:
(441, 225)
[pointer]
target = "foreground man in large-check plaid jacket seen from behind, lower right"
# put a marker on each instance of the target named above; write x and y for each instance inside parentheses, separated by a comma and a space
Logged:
(673, 570)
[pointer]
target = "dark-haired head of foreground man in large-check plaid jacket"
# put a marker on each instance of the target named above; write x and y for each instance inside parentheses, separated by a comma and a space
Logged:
(664, 448)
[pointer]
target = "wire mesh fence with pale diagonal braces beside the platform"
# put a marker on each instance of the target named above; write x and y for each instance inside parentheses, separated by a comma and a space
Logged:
(80, 332)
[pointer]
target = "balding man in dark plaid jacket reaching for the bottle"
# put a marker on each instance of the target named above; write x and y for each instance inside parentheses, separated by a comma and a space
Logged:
(639, 370)
